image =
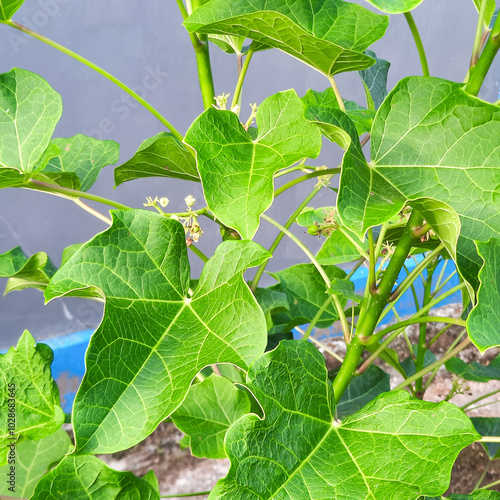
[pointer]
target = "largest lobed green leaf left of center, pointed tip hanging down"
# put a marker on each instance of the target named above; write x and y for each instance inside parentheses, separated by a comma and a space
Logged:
(156, 334)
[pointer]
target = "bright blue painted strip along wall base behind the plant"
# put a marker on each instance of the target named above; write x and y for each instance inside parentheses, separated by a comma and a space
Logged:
(68, 366)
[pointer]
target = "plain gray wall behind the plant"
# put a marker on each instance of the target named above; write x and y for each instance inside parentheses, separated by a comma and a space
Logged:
(144, 44)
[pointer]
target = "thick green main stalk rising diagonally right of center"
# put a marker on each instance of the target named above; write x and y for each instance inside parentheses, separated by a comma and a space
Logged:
(378, 301)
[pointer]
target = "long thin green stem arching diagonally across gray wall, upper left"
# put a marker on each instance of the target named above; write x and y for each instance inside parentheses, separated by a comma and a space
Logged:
(99, 70)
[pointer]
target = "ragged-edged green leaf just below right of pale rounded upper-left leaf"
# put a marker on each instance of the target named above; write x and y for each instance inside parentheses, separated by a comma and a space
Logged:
(79, 161)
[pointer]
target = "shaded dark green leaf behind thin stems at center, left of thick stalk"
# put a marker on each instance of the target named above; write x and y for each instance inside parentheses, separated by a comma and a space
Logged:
(306, 292)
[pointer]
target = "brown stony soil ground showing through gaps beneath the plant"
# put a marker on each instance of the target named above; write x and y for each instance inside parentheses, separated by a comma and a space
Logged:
(179, 472)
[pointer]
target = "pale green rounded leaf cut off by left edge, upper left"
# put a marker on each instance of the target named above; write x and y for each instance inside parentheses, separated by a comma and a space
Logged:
(29, 112)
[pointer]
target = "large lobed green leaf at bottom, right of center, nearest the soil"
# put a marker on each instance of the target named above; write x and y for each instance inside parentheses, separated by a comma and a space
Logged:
(394, 448)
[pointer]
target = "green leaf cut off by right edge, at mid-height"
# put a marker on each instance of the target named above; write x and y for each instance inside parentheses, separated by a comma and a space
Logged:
(484, 319)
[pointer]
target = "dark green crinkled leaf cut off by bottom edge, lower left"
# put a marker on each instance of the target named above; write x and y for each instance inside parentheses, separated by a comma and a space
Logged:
(87, 477)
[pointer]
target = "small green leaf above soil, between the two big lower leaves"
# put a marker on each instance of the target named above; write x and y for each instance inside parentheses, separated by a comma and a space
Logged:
(207, 412)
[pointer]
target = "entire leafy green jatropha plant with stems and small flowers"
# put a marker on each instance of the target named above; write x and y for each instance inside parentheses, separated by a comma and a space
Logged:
(420, 175)
